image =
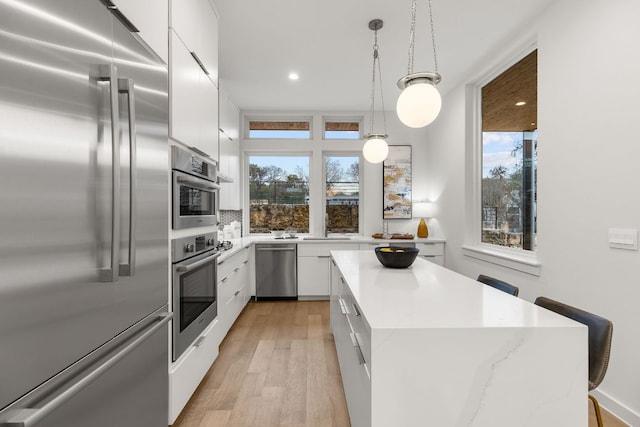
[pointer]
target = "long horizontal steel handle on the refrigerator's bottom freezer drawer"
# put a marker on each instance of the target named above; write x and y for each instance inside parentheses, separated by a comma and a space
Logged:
(29, 417)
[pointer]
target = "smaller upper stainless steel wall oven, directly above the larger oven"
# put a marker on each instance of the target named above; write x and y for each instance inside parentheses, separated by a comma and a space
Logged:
(195, 191)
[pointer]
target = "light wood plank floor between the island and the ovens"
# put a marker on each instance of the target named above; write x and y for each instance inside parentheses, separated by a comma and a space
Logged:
(278, 367)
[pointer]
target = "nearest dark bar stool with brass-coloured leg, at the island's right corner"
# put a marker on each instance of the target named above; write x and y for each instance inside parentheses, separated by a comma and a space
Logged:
(600, 333)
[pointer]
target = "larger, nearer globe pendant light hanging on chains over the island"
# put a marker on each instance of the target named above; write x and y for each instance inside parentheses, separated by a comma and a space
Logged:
(420, 102)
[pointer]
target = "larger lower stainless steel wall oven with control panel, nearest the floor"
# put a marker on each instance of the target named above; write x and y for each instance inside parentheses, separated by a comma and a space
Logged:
(194, 296)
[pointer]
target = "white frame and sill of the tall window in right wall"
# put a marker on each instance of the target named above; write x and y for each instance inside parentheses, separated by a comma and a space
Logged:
(526, 261)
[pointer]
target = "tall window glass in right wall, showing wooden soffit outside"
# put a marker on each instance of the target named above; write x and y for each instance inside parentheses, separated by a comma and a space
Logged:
(509, 162)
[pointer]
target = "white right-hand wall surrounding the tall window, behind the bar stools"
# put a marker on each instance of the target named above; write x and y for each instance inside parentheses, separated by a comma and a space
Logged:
(589, 174)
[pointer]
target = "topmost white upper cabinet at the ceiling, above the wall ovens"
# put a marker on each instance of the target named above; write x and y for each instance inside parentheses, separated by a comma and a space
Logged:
(196, 23)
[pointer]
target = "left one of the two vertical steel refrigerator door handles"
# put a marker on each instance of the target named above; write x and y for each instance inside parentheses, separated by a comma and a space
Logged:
(108, 73)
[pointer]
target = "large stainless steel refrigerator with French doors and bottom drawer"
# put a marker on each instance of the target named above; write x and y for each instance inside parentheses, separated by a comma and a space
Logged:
(83, 219)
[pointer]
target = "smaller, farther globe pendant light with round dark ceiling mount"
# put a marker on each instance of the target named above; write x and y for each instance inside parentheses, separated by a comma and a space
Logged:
(375, 150)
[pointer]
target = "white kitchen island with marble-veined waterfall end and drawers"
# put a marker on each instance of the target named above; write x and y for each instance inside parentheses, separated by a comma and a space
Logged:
(425, 346)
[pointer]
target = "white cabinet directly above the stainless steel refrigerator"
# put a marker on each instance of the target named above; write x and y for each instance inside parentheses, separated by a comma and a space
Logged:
(151, 18)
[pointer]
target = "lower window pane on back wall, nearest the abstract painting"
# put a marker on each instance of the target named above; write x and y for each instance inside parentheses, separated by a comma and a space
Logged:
(342, 196)
